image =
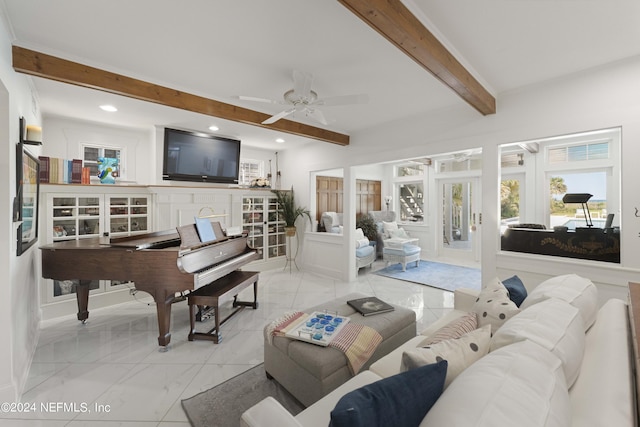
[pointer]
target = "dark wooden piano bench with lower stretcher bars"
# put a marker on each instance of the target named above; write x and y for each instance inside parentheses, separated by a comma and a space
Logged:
(216, 293)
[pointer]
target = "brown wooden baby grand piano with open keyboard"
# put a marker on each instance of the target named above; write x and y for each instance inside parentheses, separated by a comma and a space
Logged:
(161, 263)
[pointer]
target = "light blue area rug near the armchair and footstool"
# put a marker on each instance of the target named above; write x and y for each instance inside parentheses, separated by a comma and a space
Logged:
(436, 274)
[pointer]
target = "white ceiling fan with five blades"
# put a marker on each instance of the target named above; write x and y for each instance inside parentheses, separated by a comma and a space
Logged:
(301, 99)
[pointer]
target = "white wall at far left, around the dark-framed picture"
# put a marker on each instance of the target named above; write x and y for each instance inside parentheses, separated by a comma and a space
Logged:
(18, 307)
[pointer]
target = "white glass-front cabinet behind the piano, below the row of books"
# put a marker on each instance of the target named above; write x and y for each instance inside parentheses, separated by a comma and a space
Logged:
(89, 213)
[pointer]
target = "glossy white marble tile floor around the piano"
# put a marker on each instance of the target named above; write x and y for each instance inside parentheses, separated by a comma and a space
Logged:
(109, 372)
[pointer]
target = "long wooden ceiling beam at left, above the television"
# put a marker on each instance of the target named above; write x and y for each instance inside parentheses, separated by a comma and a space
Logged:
(50, 67)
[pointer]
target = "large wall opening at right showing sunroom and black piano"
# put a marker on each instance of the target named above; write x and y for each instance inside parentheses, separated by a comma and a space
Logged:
(585, 163)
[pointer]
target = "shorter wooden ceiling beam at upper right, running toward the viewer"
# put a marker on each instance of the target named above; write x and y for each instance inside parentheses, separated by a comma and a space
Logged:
(397, 24)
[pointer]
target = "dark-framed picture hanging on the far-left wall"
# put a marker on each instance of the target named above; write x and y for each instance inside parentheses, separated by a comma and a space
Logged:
(27, 197)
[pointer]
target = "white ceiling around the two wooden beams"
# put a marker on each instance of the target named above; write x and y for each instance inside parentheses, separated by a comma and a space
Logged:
(224, 48)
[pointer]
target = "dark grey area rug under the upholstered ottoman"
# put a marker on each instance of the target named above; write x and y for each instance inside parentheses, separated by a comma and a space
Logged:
(223, 405)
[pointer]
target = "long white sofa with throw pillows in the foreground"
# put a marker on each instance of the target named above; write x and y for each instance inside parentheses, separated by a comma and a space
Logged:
(557, 360)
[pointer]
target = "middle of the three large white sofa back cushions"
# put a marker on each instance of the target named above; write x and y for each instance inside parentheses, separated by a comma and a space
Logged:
(555, 325)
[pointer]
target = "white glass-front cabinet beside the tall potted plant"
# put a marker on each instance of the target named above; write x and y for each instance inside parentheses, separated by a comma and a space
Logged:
(265, 232)
